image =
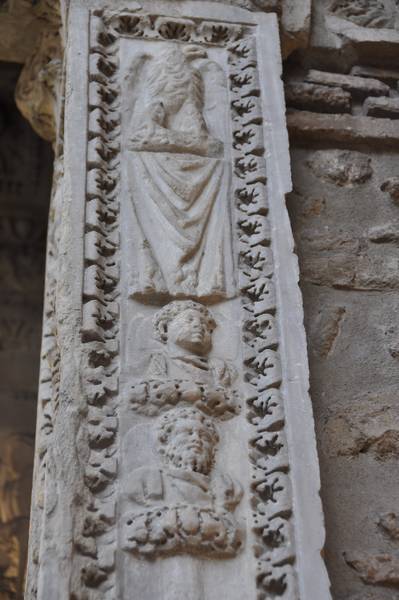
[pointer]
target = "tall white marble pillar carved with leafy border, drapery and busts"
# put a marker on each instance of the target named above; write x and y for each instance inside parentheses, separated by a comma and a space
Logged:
(176, 457)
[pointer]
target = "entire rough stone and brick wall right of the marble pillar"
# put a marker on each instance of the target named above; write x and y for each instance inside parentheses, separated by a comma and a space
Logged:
(342, 98)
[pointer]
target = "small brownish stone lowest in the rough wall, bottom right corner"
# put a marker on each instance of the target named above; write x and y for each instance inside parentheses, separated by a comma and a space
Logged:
(380, 569)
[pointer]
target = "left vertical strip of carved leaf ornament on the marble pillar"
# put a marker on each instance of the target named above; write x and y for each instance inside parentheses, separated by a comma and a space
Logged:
(96, 540)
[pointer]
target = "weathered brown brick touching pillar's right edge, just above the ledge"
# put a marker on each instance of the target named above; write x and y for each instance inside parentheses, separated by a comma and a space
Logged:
(308, 96)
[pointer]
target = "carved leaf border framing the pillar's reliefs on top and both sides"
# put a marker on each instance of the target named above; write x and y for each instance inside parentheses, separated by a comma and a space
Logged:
(271, 489)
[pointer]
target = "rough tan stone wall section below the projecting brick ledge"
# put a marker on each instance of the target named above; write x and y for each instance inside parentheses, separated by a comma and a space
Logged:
(346, 233)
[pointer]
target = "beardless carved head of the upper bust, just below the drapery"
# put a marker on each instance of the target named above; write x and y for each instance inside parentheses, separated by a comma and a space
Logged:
(185, 324)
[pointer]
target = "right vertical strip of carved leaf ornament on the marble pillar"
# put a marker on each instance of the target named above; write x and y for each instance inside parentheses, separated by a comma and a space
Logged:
(271, 488)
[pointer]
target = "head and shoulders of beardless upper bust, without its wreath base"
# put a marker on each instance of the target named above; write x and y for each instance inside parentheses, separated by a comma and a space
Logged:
(185, 328)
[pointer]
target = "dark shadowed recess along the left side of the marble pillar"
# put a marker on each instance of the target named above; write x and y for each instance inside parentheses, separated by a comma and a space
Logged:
(25, 178)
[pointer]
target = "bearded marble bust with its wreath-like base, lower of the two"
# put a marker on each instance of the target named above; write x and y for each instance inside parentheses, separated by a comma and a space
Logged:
(184, 505)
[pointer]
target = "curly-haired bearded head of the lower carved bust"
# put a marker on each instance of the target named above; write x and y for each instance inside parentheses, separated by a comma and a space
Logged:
(188, 439)
